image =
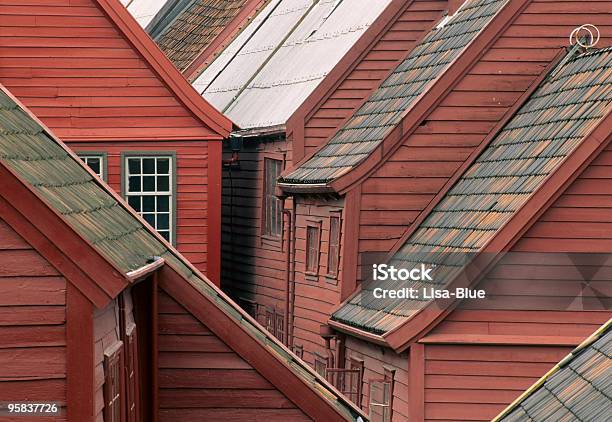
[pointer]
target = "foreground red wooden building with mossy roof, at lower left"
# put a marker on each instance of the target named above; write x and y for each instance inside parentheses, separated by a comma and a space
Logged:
(101, 317)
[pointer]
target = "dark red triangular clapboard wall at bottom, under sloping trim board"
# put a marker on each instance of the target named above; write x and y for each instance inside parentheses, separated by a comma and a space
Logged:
(201, 378)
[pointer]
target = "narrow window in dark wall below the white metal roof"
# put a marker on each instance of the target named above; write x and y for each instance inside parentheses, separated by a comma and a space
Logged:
(272, 206)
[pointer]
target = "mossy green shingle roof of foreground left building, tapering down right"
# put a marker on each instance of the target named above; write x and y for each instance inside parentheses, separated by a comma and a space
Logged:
(91, 211)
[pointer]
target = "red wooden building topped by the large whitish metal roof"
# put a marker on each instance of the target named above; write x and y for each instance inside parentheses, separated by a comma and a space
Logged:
(262, 87)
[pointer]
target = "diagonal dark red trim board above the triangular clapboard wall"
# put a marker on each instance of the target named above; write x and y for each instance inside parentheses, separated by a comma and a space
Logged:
(252, 349)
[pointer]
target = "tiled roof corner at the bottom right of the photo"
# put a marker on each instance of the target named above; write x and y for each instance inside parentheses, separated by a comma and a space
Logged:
(577, 389)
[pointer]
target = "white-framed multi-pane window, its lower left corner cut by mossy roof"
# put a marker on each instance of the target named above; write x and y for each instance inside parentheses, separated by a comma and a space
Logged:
(149, 190)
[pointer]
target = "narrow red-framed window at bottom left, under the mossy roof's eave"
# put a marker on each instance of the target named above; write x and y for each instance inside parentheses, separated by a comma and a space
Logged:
(113, 395)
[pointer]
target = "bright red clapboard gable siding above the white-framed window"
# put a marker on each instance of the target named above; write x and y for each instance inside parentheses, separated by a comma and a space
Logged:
(71, 65)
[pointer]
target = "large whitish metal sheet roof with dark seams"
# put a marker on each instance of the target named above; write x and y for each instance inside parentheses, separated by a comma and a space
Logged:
(278, 60)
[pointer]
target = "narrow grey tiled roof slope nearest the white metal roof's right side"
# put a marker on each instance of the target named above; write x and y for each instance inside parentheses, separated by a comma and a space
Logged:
(384, 109)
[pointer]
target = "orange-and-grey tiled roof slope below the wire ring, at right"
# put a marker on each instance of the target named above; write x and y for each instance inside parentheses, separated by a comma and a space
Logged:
(542, 134)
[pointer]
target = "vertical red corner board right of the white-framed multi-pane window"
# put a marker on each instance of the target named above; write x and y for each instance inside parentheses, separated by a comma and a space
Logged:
(213, 265)
